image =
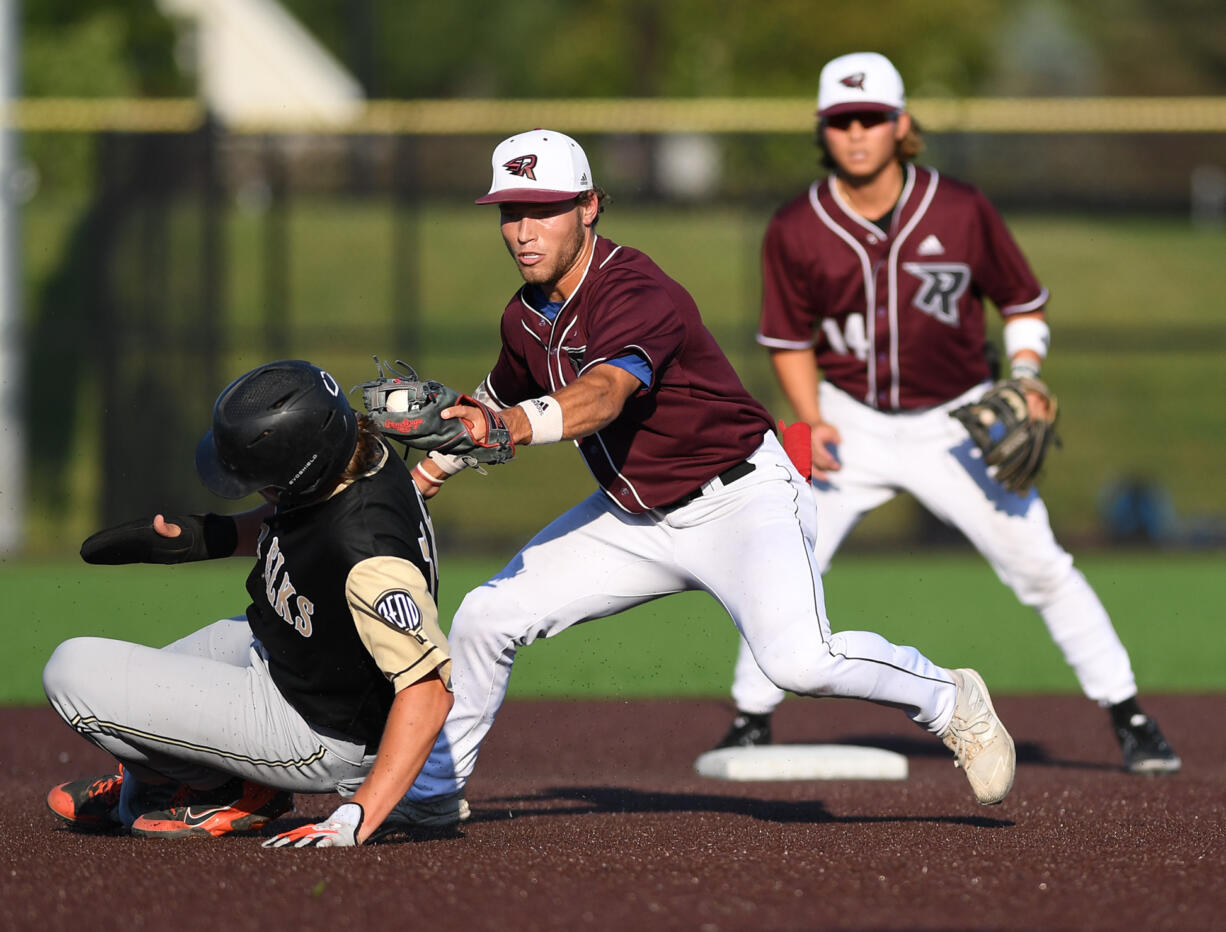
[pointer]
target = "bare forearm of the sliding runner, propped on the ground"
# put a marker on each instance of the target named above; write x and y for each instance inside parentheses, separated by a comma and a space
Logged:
(417, 714)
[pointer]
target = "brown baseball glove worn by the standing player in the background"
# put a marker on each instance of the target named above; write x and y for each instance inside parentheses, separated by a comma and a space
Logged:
(1012, 441)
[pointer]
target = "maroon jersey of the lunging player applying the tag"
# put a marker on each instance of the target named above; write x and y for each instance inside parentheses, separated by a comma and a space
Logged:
(695, 421)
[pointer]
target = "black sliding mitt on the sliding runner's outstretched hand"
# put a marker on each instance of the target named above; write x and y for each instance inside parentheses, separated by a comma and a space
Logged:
(202, 538)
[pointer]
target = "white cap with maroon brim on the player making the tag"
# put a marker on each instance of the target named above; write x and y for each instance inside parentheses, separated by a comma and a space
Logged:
(539, 167)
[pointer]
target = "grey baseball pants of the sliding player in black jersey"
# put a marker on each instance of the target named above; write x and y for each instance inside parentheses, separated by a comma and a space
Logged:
(199, 712)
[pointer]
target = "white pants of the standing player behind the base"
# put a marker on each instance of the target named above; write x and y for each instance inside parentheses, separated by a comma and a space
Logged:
(931, 456)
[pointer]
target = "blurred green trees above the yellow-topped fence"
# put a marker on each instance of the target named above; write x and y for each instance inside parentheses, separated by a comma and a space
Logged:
(628, 48)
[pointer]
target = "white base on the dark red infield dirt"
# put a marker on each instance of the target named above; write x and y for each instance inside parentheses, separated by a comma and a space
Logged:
(802, 762)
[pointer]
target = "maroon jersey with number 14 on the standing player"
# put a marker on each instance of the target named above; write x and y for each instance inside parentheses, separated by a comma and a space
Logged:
(897, 315)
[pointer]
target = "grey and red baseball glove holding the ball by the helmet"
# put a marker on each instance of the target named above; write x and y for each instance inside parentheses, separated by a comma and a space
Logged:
(406, 409)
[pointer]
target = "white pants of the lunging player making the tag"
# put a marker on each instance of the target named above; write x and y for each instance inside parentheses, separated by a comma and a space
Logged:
(748, 544)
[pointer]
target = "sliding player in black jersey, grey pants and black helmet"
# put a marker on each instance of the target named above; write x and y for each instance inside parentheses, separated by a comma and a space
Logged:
(337, 681)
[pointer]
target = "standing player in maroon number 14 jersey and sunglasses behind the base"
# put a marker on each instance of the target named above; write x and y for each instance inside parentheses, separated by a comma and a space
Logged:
(874, 286)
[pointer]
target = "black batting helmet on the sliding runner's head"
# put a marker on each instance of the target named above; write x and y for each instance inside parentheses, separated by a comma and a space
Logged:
(286, 425)
